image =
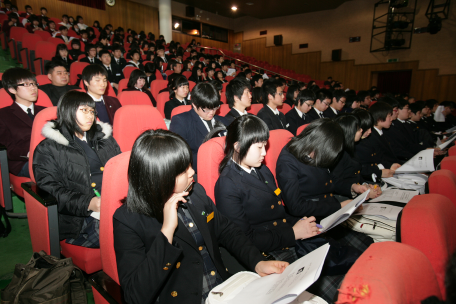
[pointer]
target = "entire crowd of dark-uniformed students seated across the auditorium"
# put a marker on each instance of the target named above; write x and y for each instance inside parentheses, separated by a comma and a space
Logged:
(266, 221)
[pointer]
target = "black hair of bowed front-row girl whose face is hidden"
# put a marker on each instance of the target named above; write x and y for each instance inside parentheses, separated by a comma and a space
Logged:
(322, 137)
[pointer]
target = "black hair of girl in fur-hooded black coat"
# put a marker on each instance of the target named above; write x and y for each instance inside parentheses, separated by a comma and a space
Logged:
(67, 108)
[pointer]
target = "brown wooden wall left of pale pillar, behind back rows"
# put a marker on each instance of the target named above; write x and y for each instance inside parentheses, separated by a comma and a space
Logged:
(124, 13)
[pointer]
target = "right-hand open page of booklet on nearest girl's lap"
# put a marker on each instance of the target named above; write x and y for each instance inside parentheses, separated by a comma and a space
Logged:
(285, 287)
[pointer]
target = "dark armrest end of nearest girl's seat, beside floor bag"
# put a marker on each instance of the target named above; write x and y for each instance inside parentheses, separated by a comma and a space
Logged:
(107, 287)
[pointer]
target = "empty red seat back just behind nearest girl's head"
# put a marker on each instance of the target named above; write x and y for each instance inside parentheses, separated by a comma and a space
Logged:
(132, 120)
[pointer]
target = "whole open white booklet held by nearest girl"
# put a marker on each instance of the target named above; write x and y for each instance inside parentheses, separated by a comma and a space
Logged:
(281, 288)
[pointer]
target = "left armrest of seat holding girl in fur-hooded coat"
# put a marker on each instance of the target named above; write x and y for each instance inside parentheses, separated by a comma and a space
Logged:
(47, 200)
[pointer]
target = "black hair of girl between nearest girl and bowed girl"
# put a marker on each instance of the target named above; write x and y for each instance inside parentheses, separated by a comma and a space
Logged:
(246, 130)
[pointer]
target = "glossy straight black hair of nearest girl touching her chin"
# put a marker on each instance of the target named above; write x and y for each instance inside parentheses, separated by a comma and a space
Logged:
(157, 158)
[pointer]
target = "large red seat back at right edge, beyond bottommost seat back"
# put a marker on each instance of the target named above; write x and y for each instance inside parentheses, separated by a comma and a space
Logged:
(428, 225)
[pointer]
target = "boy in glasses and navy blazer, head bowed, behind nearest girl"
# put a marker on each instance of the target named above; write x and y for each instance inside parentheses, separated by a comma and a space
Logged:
(195, 124)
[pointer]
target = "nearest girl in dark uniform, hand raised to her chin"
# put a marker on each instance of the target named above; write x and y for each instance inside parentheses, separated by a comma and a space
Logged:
(169, 236)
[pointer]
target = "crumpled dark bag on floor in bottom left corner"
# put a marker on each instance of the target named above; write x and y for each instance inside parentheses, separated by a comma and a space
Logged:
(45, 279)
